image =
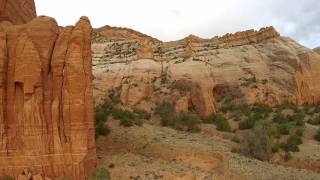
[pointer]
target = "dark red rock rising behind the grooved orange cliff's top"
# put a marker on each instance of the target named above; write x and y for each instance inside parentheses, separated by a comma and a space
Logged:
(17, 11)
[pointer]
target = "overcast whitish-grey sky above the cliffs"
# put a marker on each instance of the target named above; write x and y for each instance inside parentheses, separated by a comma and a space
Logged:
(170, 20)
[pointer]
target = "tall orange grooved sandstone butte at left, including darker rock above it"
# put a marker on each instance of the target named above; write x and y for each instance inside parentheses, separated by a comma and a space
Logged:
(46, 112)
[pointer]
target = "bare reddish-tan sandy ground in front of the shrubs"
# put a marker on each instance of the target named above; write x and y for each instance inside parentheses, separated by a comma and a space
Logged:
(153, 152)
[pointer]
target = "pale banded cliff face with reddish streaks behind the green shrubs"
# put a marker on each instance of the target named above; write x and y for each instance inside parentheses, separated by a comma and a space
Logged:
(250, 66)
